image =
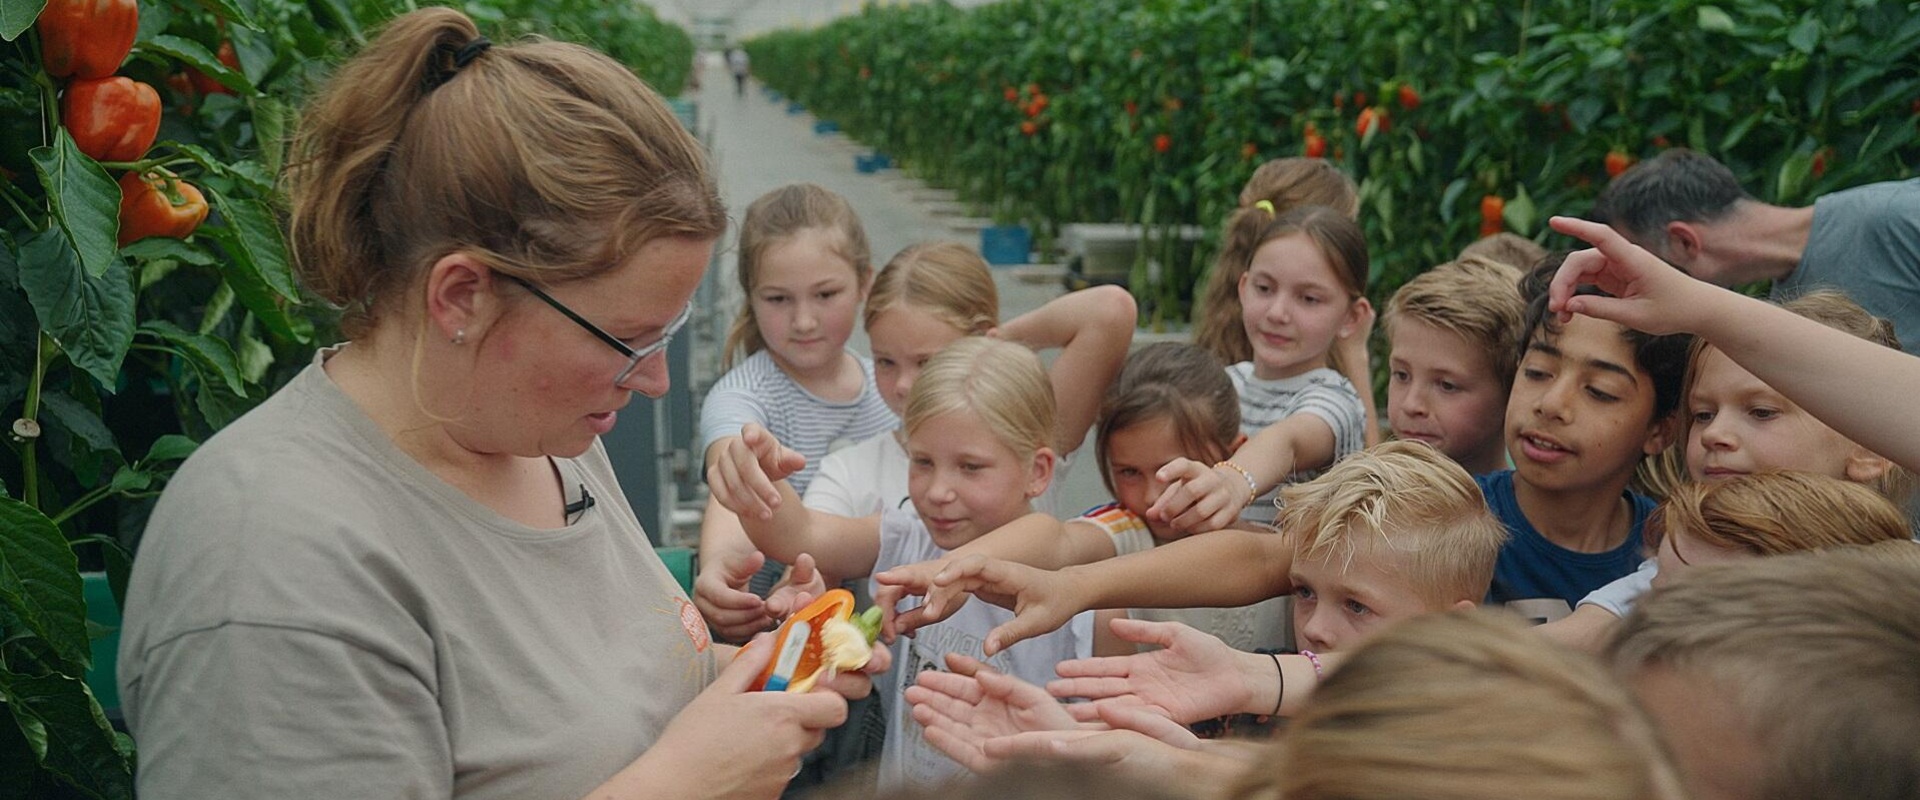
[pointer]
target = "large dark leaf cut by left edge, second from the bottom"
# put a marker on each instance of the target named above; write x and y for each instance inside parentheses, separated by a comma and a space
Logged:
(41, 582)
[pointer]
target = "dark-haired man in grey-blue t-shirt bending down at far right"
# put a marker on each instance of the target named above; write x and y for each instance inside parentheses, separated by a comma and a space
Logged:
(1689, 210)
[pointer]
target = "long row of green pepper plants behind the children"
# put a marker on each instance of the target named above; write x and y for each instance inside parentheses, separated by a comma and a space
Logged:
(1520, 101)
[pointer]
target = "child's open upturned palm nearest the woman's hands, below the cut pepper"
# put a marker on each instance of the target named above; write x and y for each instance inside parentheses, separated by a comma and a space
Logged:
(963, 709)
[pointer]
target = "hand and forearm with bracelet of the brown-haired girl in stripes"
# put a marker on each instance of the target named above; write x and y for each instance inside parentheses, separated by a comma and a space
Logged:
(1211, 498)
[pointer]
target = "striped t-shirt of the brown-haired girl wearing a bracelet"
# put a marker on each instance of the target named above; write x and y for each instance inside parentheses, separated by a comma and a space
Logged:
(1320, 392)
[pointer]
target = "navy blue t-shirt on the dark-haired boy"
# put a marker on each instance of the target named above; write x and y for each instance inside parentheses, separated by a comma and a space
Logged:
(1533, 569)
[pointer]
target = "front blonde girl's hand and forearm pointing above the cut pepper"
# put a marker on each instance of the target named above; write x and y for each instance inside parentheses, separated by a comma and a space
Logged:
(786, 529)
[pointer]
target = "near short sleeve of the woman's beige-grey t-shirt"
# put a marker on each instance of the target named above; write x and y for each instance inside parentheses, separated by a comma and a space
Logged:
(237, 720)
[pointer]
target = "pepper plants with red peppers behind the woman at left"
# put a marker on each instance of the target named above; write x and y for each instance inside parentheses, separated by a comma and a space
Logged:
(147, 296)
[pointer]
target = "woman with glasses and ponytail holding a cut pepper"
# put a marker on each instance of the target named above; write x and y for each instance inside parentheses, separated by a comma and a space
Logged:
(387, 580)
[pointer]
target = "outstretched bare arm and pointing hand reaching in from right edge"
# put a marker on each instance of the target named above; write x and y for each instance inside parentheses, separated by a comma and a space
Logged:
(1852, 385)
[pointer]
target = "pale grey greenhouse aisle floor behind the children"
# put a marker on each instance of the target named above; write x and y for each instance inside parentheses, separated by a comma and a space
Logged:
(757, 147)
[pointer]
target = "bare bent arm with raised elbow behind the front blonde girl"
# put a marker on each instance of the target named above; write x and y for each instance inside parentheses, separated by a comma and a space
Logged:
(1093, 329)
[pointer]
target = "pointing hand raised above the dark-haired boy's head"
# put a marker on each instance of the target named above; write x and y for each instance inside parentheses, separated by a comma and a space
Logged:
(1648, 294)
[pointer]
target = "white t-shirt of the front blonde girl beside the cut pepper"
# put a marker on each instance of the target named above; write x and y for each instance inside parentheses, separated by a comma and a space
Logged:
(907, 759)
